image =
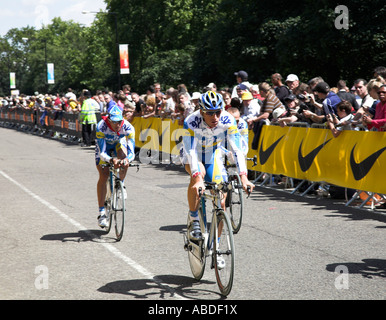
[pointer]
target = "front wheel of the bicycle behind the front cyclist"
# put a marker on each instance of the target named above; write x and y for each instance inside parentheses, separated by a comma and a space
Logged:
(236, 202)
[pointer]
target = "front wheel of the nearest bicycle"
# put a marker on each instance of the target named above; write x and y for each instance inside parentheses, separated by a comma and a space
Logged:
(224, 253)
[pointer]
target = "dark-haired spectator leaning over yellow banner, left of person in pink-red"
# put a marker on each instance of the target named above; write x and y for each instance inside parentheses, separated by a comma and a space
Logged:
(343, 119)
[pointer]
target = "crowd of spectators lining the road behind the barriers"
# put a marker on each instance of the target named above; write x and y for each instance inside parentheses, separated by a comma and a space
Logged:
(281, 102)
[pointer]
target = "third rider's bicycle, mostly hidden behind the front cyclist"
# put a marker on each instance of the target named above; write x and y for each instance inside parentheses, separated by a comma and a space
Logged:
(235, 199)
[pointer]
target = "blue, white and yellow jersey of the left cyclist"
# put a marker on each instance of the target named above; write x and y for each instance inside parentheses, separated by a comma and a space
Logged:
(108, 140)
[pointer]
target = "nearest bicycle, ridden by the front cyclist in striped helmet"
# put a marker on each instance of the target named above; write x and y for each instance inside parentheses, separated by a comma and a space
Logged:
(218, 243)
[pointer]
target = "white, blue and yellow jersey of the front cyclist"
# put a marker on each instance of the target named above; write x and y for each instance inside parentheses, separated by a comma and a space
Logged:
(202, 143)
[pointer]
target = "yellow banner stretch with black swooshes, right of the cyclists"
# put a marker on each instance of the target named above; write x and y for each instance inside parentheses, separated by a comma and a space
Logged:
(353, 160)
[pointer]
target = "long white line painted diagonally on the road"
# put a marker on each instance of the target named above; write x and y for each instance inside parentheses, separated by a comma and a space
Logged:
(108, 246)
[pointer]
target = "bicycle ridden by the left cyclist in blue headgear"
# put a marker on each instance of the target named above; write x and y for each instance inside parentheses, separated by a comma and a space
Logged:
(115, 200)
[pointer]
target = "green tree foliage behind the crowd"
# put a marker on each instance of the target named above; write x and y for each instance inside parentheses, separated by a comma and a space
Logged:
(196, 42)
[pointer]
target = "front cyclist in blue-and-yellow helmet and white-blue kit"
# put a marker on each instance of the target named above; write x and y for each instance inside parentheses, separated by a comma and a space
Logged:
(209, 131)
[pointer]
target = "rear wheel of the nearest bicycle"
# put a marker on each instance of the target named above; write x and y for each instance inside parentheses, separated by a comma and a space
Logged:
(196, 251)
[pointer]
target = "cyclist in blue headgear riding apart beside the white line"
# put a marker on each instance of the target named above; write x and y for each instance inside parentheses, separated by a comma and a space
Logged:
(114, 136)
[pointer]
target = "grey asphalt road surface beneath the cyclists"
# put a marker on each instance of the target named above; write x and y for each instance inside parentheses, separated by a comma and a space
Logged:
(288, 247)
